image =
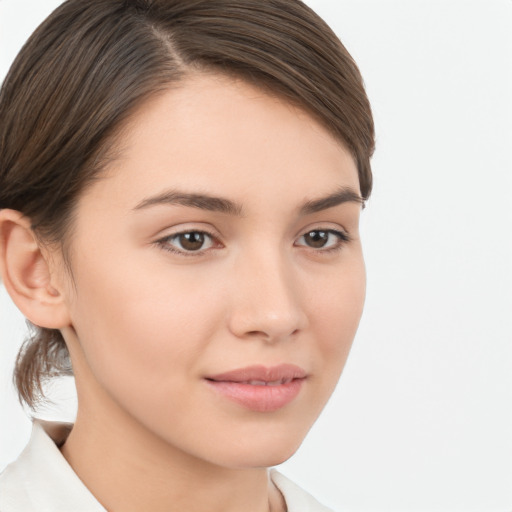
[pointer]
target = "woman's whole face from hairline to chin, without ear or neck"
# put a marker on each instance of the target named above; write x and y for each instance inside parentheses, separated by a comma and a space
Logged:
(218, 278)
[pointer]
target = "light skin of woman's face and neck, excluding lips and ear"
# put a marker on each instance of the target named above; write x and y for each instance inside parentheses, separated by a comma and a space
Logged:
(145, 325)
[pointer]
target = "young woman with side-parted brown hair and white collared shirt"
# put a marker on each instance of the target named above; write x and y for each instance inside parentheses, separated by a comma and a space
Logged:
(180, 191)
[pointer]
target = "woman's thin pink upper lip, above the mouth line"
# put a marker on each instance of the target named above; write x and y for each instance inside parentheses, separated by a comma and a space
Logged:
(258, 373)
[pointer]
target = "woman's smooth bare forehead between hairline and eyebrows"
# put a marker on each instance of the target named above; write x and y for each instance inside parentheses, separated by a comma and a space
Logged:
(226, 137)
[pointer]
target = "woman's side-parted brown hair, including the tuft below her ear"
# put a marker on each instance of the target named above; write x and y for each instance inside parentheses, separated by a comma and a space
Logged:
(86, 68)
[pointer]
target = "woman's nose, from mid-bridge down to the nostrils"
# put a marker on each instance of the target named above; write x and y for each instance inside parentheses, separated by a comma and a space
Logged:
(266, 300)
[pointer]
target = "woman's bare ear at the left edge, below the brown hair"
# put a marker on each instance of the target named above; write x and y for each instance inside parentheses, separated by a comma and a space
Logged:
(26, 273)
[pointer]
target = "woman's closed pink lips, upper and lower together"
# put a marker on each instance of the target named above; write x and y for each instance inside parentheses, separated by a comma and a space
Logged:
(260, 388)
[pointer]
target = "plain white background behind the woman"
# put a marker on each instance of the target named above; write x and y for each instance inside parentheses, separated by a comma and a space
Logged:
(422, 418)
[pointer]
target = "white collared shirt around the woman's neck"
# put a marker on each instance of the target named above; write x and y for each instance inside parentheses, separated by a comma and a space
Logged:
(41, 480)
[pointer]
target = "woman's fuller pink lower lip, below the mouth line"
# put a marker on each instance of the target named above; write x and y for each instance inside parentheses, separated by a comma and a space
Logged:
(259, 398)
